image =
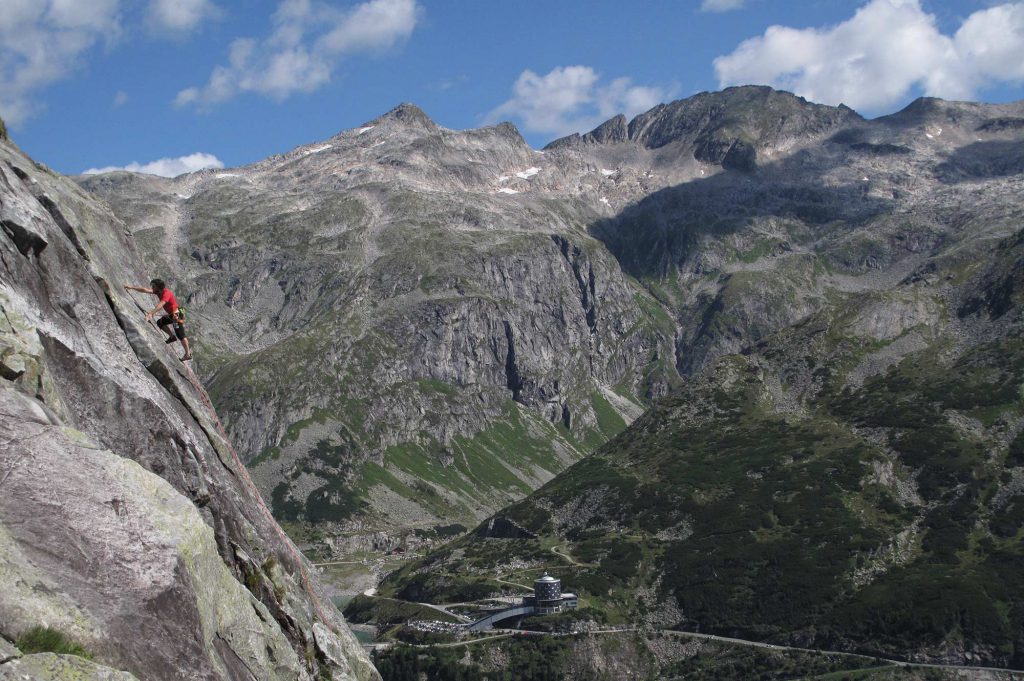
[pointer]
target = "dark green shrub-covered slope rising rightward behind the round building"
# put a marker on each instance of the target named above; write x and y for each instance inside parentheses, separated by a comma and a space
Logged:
(775, 498)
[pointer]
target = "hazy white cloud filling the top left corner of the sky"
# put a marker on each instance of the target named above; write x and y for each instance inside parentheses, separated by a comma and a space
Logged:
(42, 42)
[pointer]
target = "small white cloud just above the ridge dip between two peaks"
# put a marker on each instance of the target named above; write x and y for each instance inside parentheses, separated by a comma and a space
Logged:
(573, 100)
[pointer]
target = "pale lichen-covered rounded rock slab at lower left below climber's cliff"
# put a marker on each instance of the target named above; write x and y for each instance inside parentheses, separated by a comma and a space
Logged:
(98, 547)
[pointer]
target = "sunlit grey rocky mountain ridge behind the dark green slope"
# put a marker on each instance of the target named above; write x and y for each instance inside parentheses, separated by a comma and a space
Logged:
(699, 257)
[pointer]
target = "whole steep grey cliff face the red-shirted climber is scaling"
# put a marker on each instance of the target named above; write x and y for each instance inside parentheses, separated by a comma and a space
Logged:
(126, 522)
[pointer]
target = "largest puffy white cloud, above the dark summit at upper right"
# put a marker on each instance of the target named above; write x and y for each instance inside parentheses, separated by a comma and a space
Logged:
(887, 50)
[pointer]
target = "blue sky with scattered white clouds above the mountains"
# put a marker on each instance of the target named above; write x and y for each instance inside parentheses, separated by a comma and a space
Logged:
(89, 84)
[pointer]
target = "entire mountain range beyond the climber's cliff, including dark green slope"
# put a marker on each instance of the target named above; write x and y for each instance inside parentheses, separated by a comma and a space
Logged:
(818, 316)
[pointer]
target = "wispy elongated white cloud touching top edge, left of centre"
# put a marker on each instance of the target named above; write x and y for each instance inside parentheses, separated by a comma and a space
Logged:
(308, 41)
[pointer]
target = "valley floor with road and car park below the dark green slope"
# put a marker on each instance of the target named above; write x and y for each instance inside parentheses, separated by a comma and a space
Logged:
(401, 651)
